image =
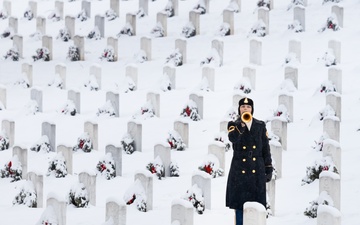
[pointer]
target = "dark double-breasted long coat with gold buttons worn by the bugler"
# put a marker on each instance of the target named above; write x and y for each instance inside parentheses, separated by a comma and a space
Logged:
(246, 179)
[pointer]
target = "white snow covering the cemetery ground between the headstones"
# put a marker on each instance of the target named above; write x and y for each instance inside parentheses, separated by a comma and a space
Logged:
(292, 198)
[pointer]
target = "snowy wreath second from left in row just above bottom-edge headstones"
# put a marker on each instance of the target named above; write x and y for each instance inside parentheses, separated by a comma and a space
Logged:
(78, 196)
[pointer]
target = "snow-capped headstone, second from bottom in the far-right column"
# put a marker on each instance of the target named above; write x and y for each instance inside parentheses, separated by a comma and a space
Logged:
(331, 183)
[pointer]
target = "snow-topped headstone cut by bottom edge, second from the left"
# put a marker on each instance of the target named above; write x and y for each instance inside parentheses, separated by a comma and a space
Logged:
(115, 210)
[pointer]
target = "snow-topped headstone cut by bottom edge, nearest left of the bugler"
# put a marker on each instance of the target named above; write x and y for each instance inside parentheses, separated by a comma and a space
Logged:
(182, 211)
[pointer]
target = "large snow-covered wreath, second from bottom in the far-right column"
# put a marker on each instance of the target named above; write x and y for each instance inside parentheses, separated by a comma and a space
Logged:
(319, 165)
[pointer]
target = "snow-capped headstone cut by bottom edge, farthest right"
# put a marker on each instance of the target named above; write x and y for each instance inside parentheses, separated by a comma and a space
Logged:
(328, 215)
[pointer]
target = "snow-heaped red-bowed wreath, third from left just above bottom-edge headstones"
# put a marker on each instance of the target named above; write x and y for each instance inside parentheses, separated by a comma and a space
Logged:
(136, 195)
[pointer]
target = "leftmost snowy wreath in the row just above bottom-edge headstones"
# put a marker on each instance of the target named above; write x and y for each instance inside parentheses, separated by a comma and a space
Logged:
(27, 196)
